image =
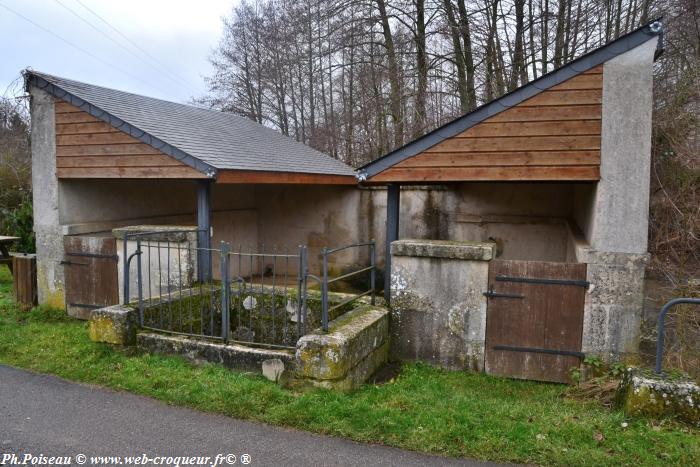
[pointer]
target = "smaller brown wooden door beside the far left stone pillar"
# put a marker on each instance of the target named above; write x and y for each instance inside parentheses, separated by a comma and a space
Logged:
(91, 275)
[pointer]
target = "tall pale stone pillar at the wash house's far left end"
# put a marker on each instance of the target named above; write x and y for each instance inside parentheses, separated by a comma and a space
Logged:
(45, 196)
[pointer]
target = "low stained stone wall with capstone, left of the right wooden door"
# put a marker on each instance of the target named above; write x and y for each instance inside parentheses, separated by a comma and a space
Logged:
(438, 307)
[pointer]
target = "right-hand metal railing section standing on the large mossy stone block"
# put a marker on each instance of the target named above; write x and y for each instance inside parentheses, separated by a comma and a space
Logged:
(325, 281)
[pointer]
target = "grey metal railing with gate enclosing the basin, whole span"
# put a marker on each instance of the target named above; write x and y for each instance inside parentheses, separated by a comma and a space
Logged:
(258, 298)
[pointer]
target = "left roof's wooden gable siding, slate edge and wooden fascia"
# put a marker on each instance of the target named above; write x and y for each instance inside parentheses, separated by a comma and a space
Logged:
(93, 144)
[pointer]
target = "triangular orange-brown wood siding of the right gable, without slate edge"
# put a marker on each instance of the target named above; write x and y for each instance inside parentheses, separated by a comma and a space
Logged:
(554, 135)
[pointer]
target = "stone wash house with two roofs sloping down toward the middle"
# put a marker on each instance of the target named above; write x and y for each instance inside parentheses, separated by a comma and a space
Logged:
(513, 239)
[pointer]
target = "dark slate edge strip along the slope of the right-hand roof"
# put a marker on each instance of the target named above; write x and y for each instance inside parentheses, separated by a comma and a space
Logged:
(585, 62)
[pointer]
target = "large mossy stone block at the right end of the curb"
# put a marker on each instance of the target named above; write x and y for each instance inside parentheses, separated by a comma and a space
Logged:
(352, 338)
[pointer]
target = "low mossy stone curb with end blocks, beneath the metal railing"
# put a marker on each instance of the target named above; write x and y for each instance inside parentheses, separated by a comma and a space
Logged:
(356, 345)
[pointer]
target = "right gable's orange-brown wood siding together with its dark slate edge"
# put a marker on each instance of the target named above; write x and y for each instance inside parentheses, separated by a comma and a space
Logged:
(547, 130)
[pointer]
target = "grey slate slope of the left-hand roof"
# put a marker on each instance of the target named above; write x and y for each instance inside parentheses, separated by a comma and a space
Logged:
(207, 140)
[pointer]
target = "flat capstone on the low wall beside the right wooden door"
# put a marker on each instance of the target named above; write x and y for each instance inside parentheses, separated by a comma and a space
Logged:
(448, 249)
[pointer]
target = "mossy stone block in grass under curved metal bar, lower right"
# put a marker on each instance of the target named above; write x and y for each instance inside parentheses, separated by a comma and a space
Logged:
(642, 393)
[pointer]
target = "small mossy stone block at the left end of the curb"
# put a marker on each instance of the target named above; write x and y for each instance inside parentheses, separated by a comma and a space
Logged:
(113, 325)
